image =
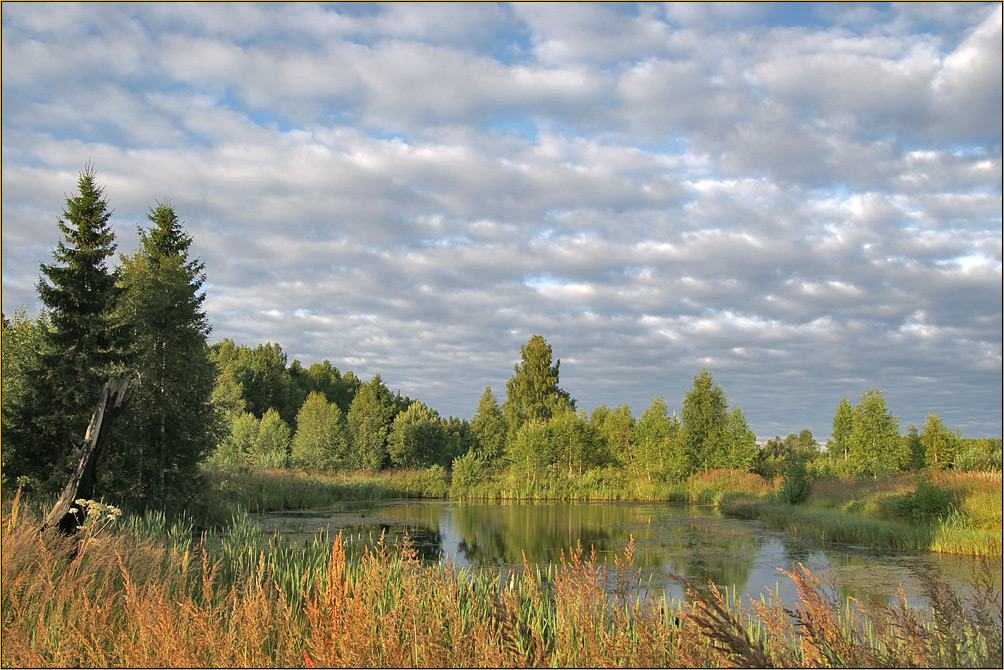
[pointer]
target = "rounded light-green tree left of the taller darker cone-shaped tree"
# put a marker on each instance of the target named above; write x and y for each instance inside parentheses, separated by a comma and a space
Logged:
(322, 439)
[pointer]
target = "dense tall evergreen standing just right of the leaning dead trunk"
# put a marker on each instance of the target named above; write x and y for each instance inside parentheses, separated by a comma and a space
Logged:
(172, 424)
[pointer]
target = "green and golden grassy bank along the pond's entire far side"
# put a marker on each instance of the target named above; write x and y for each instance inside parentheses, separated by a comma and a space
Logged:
(948, 513)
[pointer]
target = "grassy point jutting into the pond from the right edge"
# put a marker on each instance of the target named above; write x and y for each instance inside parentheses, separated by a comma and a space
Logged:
(946, 513)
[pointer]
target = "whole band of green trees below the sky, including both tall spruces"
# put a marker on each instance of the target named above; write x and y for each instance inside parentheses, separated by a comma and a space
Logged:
(232, 405)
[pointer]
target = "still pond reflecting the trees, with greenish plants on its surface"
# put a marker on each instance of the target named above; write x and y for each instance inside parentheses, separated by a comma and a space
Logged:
(692, 541)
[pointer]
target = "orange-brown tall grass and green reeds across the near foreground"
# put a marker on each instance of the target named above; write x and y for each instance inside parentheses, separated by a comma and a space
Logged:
(126, 594)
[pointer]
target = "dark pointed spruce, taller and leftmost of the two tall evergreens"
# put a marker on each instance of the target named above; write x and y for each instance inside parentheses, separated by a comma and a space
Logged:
(80, 347)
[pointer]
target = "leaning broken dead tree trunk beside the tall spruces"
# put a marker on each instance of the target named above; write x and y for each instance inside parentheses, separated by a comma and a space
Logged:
(82, 484)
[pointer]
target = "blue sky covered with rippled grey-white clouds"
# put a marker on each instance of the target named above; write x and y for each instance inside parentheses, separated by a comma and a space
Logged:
(804, 199)
